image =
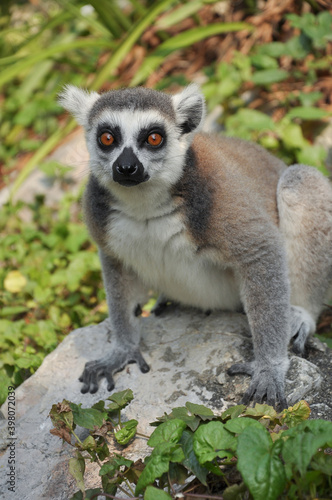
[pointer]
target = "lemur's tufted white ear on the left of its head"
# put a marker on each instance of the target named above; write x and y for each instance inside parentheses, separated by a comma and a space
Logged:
(78, 102)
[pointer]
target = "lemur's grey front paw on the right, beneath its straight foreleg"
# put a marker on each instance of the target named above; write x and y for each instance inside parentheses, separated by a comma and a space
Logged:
(267, 384)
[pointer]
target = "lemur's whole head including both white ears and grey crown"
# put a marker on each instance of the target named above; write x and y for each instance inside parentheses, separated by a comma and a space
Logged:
(136, 136)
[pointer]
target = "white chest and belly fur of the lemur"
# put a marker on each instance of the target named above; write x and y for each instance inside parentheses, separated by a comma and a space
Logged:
(161, 253)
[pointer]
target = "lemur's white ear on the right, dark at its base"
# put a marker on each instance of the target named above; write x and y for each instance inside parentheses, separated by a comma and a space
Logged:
(189, 108)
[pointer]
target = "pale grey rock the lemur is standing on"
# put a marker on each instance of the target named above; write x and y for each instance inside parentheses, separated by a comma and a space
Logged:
(188, 352)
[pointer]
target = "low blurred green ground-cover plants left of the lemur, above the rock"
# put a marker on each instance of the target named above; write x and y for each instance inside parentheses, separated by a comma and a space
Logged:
(50, 283)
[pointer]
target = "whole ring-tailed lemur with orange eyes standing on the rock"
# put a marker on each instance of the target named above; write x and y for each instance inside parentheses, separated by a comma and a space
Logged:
(209, 221)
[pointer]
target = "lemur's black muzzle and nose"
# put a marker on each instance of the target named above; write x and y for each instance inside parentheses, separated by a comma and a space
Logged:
(128, 170)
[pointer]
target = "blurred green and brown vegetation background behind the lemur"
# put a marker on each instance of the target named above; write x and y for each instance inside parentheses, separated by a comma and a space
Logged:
(264, 67)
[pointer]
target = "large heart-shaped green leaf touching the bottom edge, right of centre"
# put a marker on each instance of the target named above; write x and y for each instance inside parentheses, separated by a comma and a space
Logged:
(259, 464)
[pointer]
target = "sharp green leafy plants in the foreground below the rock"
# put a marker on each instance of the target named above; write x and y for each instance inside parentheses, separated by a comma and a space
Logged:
(276, 455)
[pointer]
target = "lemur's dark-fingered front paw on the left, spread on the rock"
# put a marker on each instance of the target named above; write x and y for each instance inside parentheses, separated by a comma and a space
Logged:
(94, 371)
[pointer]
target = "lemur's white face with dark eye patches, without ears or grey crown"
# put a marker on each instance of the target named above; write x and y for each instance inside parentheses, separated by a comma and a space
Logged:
(129, 148)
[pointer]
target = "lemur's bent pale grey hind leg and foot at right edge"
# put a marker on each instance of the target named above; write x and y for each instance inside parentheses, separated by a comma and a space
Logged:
(304, 199)
